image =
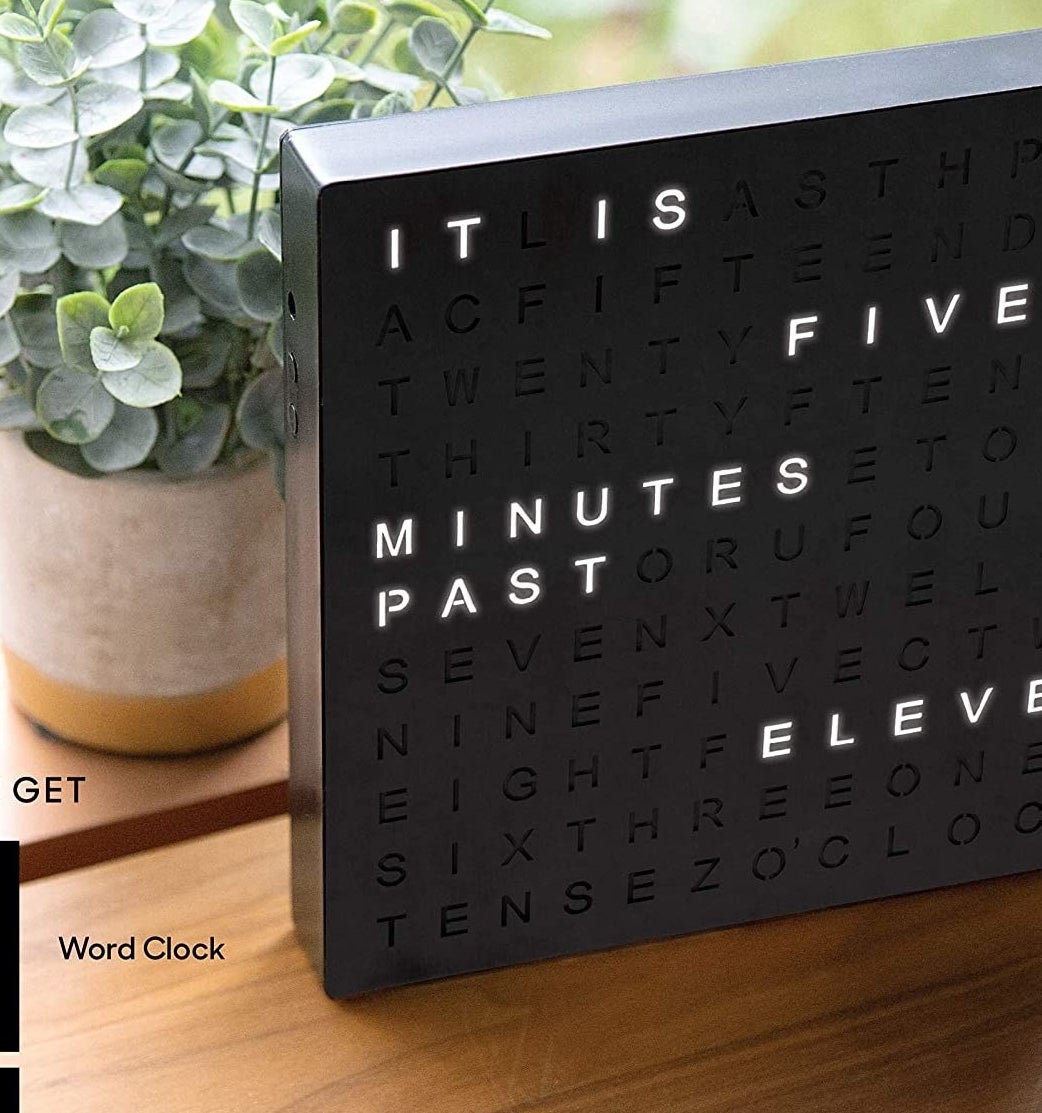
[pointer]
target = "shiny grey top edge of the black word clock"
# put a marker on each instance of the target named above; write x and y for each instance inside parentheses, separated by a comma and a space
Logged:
(618, 116)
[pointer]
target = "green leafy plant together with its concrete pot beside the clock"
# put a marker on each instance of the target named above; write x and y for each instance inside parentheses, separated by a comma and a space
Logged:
(141, 336)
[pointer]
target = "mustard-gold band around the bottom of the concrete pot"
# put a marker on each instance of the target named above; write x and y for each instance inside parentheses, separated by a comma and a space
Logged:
(150, 725)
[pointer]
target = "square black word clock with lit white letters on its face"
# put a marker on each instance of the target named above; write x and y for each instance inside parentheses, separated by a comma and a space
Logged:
(664, 507)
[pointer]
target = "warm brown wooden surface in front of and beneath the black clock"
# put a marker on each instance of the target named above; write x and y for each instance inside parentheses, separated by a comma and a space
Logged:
(930, 1003)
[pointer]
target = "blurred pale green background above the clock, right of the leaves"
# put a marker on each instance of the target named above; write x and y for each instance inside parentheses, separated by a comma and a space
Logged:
(611, 42)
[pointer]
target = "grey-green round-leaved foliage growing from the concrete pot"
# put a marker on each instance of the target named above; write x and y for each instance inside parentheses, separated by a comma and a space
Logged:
(141, 294)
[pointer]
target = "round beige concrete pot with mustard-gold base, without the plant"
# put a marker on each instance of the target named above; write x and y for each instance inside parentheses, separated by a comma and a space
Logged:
(139, 614)
